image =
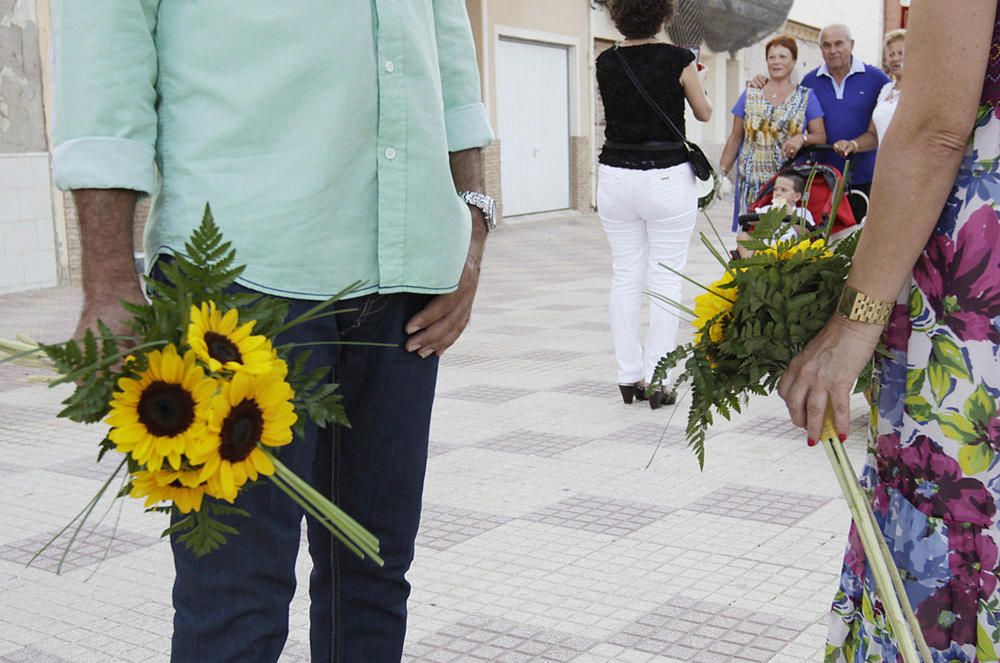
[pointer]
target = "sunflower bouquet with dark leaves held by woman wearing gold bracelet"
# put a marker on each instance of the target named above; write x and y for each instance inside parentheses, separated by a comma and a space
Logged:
(749, 324)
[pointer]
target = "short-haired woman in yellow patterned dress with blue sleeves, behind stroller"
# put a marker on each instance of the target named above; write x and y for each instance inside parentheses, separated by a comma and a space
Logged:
(770, 124)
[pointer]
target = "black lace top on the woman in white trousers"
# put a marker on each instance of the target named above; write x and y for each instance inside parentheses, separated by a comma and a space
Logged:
(629, 118)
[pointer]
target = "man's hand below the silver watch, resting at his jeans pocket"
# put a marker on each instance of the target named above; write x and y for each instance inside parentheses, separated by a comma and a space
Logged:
(442, 321)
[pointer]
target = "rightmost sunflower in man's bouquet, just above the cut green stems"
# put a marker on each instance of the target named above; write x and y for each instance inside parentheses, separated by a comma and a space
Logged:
(249, 411)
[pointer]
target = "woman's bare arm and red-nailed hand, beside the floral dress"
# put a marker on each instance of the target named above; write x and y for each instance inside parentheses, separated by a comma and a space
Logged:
(916, 170)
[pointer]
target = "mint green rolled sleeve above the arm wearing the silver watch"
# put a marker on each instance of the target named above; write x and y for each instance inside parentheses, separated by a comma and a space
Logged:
(466, 120)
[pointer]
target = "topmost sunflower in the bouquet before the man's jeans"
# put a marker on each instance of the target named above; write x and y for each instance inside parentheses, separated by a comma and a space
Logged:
(221, 342)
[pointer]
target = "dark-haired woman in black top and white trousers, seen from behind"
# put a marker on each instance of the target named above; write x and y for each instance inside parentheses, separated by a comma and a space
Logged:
(646, 193)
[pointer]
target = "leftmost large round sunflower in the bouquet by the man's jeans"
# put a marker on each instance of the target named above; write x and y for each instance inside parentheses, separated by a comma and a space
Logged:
(161, 414)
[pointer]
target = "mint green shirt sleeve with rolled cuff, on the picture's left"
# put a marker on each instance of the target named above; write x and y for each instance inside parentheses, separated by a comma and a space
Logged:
(105, 92)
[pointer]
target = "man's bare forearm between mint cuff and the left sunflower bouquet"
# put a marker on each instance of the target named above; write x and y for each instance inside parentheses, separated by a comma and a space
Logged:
(106, 239)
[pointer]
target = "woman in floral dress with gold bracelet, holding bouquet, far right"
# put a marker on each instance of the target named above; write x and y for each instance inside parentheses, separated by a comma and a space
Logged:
(933, 239)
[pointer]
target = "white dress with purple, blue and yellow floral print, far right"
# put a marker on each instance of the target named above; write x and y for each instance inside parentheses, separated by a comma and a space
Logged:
(933, 466)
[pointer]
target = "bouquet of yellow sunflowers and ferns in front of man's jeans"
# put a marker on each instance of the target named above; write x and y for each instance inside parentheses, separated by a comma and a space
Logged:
(199, 398)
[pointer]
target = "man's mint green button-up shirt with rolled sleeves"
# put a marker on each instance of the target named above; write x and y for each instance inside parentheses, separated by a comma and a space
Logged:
(319, 130)
